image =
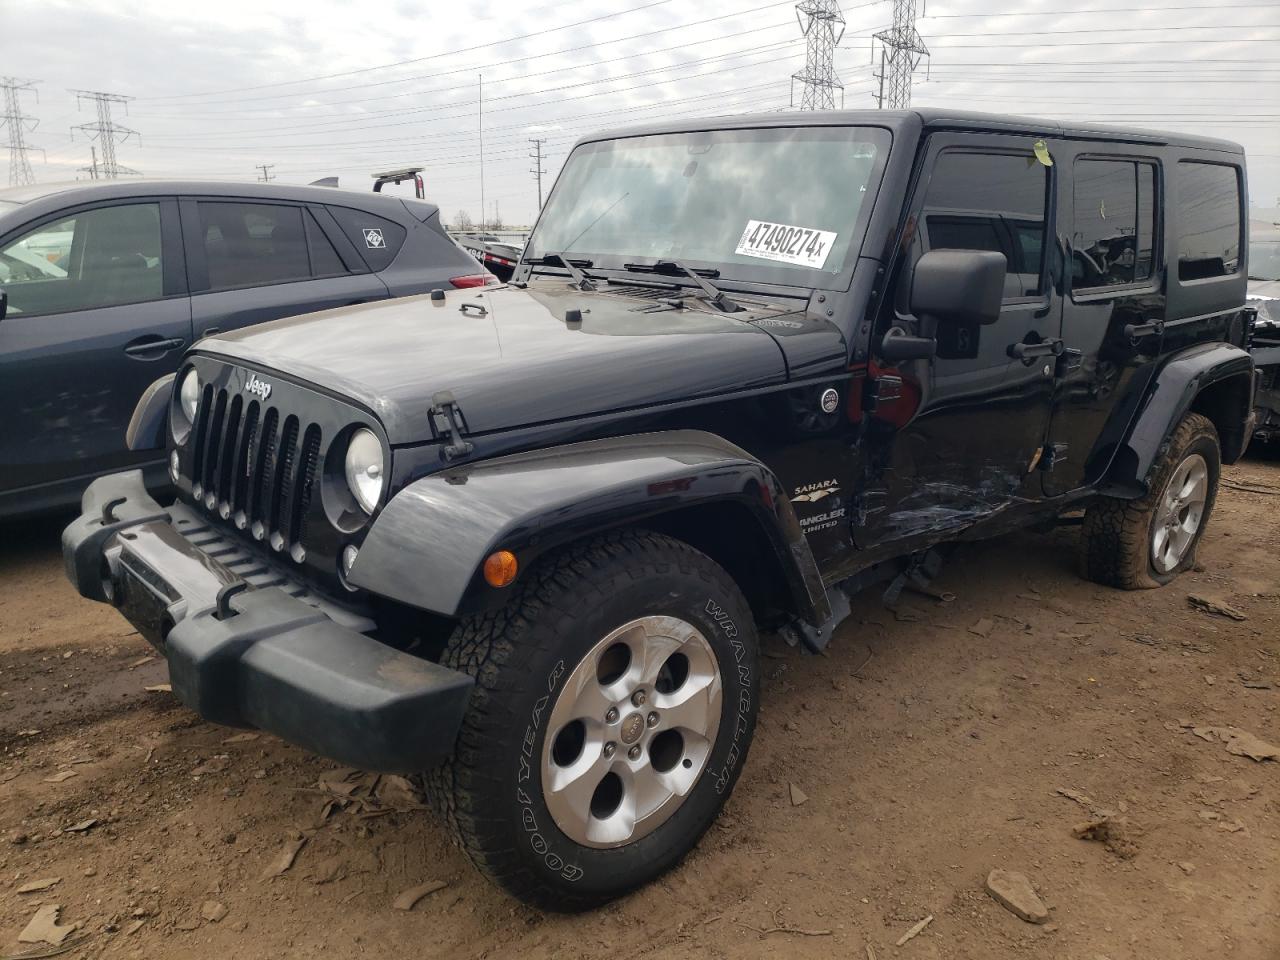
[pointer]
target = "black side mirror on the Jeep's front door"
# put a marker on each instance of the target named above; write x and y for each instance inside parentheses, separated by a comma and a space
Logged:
(961, 287)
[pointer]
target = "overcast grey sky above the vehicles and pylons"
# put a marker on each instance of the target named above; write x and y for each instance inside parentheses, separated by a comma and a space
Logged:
(332, 89)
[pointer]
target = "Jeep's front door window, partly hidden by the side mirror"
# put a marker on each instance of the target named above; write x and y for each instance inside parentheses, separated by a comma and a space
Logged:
(991, 202)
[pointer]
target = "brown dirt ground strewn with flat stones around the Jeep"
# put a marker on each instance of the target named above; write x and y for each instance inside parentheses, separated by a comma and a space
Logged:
(927, 749)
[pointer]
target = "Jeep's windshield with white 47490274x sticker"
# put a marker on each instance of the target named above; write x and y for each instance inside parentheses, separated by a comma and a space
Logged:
(783, 205)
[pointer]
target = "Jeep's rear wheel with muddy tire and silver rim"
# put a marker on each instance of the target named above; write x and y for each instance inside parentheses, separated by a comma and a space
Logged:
(1146, 543)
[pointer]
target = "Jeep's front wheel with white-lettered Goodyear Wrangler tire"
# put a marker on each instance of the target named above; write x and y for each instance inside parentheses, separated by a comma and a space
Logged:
(615, 703)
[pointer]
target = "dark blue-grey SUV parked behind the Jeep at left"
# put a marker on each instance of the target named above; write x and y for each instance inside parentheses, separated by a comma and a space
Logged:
(108, 285)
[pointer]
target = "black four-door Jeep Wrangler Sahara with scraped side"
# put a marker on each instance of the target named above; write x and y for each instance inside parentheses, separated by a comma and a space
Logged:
(525, 538)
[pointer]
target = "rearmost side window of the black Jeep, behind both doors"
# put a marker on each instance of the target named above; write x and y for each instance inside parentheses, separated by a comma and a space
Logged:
(1209, 221)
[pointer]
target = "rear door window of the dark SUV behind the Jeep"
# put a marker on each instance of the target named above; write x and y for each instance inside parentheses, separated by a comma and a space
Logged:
(249, 245)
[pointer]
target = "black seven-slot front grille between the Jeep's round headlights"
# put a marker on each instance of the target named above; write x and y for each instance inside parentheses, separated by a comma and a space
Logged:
(255, 467)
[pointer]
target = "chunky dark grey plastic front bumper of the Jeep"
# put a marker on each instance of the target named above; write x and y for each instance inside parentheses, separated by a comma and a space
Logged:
(248, 647)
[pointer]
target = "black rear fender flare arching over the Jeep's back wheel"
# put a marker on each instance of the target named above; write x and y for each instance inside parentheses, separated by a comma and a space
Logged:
(1171, 396)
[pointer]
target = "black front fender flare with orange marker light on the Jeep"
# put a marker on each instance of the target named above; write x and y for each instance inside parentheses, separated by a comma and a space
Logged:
(428, 545)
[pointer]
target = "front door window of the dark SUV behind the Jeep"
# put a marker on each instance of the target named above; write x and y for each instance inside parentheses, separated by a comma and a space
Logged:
(95, 259)
